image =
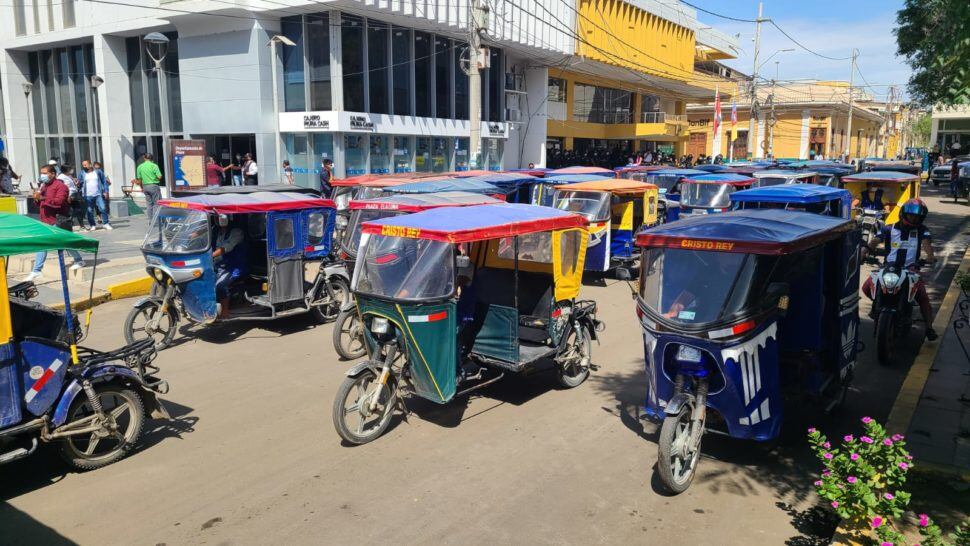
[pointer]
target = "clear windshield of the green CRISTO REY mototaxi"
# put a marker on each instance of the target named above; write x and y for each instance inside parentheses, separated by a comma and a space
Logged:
(406, 269)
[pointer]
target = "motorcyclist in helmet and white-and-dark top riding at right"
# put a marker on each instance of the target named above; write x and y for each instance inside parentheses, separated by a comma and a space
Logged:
(904, 242)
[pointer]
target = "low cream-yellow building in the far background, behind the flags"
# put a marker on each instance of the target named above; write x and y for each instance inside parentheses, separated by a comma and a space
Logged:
(797, 121)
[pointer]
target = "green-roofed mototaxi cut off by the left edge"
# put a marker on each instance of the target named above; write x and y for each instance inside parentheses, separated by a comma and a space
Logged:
(91, 403)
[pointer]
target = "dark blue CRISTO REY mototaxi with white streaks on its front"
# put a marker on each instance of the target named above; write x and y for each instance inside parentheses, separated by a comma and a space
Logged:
(737, 310)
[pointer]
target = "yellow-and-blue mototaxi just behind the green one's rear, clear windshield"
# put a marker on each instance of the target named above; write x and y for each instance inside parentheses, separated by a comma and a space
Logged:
(616, 209)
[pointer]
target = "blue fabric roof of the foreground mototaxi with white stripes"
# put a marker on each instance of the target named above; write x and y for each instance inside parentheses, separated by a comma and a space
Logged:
(758, 226)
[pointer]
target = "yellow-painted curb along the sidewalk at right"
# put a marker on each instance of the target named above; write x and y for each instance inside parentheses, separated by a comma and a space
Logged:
(901, 414)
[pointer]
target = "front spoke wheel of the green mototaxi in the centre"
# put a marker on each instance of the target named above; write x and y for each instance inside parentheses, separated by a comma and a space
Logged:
(356, 416)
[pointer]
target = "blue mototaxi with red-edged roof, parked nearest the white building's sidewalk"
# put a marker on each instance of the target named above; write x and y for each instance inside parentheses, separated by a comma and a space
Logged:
(278, 237)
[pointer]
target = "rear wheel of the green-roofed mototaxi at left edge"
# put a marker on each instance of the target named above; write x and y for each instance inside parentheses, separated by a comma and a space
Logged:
(125, 406)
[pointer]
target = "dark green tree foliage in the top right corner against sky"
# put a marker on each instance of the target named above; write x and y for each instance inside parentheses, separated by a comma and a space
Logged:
(934, 37)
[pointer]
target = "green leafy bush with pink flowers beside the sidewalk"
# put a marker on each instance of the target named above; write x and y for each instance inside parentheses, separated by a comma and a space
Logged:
(863, 480)
